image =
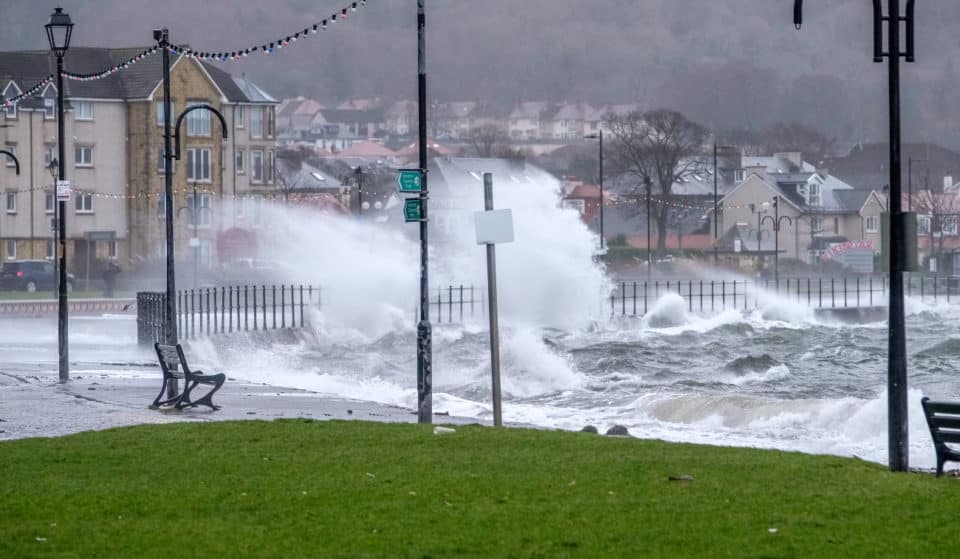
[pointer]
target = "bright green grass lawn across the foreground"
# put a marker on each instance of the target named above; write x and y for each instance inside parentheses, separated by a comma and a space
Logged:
(354, 489)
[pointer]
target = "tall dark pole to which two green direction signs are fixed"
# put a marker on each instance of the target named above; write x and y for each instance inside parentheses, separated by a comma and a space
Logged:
(424, 335)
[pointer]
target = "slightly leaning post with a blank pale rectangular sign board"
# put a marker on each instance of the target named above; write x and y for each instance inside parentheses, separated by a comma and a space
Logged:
(493, 226)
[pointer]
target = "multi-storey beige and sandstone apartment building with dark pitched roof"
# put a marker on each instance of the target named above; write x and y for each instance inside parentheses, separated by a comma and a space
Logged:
(114, 150)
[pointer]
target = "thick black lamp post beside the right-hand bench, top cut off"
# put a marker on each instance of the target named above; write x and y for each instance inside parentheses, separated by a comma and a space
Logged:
(897, 433)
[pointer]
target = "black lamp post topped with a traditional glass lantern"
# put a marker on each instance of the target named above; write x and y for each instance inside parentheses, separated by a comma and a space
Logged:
(59, 29)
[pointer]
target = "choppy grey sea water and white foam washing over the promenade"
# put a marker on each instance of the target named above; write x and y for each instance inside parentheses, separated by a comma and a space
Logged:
(784, 380)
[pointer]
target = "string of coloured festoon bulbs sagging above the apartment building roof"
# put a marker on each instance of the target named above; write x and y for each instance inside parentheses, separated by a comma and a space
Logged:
(339, 16)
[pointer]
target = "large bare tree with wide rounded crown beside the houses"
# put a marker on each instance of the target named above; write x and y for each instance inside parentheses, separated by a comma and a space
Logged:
(662, 148)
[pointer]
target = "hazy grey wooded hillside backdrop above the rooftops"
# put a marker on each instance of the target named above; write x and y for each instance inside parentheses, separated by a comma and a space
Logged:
(726, 64)
